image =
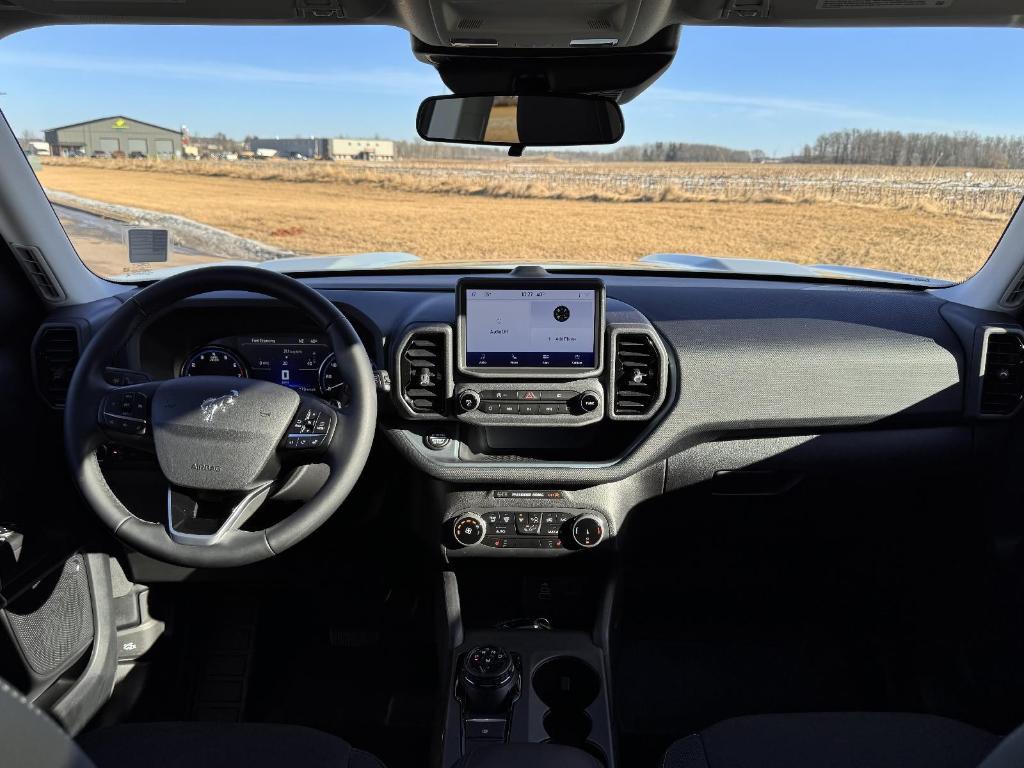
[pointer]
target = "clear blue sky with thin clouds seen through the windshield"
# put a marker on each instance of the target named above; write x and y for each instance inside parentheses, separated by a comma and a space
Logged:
(769, 90)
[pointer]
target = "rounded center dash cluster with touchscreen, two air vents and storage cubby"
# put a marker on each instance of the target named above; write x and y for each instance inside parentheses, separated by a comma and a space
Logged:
(530, 369)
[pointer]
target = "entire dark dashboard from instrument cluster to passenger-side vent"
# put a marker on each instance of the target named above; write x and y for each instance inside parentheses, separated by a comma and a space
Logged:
(680, 381)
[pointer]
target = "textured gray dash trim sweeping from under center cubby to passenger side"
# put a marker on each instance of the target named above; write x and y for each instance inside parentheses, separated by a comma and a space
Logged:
(824, 360)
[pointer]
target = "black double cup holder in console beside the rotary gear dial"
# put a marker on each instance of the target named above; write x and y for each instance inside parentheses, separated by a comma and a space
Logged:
(569, 686)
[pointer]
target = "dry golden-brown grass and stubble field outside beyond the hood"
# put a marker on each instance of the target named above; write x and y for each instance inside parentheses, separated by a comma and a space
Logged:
(942, 223)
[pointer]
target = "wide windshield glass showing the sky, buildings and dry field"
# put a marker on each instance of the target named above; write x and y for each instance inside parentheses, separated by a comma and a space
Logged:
(882, 149)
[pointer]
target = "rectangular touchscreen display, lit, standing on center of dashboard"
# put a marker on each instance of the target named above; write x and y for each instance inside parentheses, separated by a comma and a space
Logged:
(535, 328)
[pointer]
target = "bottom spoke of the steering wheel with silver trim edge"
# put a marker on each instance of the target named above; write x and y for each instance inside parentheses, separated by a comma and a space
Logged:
(204, 519)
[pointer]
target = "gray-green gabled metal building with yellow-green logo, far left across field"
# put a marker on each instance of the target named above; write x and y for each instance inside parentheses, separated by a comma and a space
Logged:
(116, 135)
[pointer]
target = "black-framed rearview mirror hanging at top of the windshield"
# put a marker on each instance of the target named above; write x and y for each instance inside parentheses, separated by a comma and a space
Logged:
(521, 121)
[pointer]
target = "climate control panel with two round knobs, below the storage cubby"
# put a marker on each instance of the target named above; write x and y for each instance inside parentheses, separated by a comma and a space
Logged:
(534, 529)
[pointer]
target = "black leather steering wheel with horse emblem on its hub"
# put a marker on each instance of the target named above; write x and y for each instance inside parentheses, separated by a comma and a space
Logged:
(222, 443)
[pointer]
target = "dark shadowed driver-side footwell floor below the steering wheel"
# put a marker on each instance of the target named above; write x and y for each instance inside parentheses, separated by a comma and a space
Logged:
(356, 661)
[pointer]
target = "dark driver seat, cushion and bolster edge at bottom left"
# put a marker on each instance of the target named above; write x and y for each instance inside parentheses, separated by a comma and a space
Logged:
(32, 740)
